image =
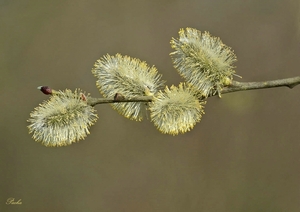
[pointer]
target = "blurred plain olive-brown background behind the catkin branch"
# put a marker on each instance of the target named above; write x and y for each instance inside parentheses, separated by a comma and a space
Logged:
(242, 156)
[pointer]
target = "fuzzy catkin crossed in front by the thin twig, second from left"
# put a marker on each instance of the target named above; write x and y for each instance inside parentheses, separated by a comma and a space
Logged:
(129, 77)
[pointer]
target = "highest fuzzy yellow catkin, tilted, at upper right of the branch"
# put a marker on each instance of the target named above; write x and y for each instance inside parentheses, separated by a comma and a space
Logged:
(203, 60)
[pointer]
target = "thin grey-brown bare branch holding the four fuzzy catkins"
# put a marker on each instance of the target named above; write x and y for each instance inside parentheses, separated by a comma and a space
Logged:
(236, 86)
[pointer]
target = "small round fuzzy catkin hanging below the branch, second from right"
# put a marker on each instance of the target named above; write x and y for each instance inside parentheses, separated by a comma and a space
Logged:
(176, 110)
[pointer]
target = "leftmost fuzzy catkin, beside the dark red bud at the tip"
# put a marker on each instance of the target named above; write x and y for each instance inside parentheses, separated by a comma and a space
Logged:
(63, 119)
